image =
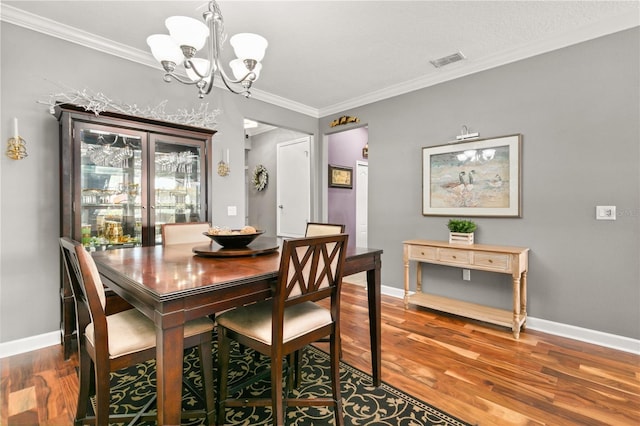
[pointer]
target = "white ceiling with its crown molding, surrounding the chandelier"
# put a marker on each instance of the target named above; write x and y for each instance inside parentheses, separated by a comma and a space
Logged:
(328, 56)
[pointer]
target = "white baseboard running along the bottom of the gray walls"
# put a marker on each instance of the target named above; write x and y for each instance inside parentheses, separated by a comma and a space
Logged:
(613, 341)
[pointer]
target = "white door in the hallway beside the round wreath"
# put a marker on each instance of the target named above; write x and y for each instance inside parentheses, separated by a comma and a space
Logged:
(293, 198)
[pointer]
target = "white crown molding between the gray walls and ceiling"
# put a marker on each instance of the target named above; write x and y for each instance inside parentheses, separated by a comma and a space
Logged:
(52, 28)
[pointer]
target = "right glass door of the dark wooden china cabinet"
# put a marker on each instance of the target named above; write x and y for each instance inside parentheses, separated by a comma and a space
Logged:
(178, 183)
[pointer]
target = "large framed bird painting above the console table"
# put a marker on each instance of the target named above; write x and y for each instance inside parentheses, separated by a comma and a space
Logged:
(473, 178)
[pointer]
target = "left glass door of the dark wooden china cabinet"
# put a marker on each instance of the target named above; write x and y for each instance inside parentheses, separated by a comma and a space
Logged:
(110, 186)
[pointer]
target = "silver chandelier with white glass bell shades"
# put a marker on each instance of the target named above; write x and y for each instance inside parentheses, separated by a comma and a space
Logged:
(187, 36)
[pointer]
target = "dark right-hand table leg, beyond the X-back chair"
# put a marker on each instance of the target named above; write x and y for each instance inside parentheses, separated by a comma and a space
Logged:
(373, 295)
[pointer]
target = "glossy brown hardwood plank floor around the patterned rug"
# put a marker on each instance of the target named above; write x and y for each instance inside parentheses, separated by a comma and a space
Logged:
(473, 371)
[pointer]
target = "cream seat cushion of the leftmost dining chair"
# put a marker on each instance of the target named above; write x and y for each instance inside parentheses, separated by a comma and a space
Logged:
(130, 331)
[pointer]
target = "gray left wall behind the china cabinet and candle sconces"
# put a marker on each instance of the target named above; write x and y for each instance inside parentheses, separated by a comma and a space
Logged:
(35, 66)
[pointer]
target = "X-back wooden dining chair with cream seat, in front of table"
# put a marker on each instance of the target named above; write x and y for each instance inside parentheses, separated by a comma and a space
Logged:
(310, 270)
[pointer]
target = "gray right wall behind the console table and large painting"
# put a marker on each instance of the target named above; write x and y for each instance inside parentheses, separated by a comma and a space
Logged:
(578, 111)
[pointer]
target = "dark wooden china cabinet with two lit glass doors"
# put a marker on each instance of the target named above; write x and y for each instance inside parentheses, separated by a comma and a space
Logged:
(121, 178)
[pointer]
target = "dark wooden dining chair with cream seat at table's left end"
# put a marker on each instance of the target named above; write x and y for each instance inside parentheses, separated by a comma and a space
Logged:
(107, 343)
